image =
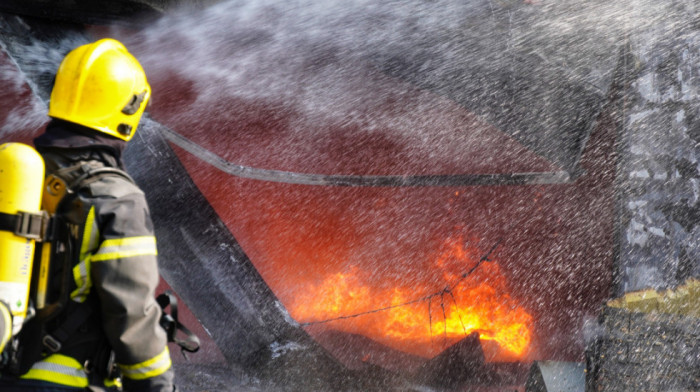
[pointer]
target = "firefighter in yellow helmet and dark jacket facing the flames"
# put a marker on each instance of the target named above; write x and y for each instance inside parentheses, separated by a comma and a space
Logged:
(111, 320)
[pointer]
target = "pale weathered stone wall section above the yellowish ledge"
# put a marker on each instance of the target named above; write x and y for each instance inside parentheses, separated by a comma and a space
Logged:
(659, 157)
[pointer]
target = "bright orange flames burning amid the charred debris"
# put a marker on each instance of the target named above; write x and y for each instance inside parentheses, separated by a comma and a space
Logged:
(424, 320)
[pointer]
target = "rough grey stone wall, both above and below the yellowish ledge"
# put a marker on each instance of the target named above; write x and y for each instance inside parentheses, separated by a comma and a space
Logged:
(659, 207)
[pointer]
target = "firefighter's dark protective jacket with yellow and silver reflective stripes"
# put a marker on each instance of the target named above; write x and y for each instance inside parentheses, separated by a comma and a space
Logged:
(114, 269)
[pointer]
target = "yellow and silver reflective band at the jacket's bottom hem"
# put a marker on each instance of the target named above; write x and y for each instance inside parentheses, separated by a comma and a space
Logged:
(58, 369)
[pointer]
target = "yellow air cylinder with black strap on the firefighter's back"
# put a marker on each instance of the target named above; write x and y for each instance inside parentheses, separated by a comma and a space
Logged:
(21, 184)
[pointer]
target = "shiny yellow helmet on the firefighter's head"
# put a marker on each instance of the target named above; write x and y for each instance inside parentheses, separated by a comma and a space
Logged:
(101, 86)
